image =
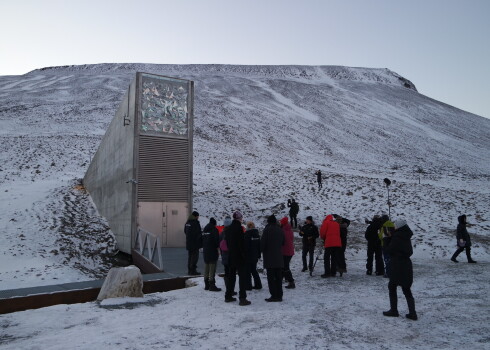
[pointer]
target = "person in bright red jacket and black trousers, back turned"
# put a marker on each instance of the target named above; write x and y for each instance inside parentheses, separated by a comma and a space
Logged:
(330, 233)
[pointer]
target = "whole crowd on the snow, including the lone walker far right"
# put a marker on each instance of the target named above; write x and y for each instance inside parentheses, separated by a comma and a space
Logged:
(388, 244)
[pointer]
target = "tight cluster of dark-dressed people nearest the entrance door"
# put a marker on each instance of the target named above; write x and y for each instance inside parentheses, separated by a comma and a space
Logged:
(240, 249)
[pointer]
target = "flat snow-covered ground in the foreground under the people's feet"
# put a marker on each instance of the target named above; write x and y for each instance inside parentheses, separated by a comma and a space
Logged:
(335, 313)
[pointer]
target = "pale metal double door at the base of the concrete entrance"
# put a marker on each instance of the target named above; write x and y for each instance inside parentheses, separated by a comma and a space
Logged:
(165, 220)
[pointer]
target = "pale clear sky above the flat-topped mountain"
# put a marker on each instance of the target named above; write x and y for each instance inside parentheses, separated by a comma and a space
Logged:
(442, 46)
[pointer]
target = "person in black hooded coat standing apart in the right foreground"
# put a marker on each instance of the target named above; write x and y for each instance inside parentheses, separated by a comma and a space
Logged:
(400, 250)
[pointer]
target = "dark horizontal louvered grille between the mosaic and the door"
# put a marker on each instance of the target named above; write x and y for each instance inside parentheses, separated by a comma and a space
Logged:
(163, 174)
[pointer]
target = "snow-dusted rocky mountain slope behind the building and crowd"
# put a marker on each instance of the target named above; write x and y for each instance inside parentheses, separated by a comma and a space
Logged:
(260, 134)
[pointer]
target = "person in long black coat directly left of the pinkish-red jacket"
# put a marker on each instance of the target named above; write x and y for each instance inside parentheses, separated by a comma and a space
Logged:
(271, 245)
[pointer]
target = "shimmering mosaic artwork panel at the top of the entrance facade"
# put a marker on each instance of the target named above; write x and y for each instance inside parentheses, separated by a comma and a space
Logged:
(164, 105)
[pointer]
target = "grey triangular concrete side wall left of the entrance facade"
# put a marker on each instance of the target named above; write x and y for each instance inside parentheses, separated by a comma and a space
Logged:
(111, 168)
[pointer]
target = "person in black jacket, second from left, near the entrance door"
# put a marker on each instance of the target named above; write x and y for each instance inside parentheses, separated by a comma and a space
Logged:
(210, 245)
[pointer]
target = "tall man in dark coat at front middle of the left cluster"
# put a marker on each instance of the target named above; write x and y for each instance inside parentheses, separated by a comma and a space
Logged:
(235, 241)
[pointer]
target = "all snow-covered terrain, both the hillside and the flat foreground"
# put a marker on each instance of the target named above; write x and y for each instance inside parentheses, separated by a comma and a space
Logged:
(260, 134)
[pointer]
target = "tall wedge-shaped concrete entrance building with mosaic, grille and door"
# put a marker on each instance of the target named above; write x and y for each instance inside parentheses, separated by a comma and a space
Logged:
(141, 175)
